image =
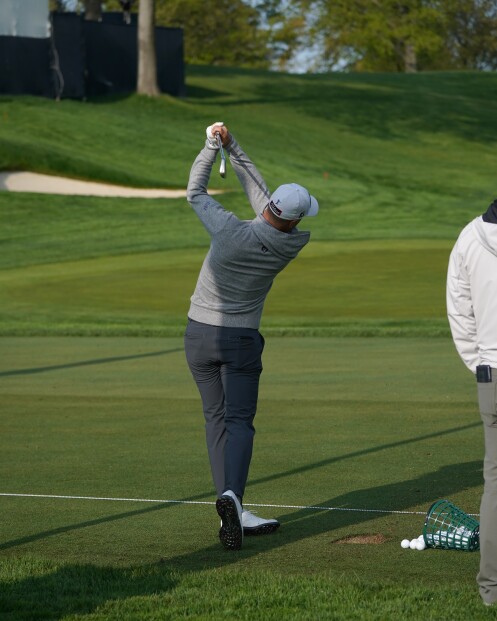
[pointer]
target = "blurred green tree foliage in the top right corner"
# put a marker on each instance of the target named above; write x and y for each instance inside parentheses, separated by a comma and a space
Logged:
(405, 36)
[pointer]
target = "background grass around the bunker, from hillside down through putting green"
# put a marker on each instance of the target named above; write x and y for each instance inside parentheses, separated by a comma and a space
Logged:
(389, 157)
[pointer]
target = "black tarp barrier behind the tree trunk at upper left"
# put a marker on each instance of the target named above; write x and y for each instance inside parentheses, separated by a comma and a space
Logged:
(85, 58)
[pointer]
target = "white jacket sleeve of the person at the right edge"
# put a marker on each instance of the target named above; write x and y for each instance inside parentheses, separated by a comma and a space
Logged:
(460, 311)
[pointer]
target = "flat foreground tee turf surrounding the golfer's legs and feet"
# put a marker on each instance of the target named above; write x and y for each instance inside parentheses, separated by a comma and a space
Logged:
(368, 424)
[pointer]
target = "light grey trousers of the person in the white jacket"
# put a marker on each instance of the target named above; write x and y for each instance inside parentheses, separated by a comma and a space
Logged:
(487, 576)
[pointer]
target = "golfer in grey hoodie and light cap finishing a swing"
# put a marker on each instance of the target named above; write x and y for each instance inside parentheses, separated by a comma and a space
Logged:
(222, 341)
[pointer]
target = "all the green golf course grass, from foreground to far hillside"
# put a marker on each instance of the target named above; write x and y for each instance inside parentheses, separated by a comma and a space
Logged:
(399, 164)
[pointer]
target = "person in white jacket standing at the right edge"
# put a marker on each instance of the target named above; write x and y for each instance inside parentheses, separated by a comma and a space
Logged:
(472, 312)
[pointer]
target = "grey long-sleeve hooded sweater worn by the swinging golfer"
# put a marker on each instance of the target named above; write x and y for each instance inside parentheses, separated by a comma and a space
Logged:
(245, 255)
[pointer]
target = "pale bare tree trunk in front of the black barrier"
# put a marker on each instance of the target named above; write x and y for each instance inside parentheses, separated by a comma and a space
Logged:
(147, 63)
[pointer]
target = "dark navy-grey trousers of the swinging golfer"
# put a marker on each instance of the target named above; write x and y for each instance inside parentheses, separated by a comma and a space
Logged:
(226, 366)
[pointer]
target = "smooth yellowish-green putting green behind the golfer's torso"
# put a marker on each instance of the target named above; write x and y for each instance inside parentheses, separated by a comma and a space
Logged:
(335, 287)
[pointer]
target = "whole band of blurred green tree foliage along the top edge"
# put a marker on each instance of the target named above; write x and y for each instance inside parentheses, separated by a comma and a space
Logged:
(363, 35)
